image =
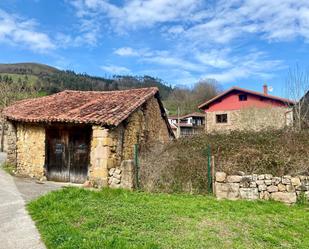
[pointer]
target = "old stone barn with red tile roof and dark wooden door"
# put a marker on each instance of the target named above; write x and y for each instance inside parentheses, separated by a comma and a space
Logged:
(79, 136)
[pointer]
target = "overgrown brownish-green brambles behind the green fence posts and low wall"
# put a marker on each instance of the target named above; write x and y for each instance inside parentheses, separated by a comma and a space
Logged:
(181, 166)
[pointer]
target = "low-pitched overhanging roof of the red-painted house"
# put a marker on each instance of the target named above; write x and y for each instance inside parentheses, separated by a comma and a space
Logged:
(267, 96)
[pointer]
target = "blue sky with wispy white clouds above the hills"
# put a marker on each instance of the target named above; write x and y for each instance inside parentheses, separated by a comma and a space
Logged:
(244, 43)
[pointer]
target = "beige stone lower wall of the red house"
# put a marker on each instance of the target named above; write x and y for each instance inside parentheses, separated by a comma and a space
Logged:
(250, 119)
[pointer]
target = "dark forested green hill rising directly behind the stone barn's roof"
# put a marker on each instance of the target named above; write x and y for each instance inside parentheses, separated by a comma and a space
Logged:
(51, 80)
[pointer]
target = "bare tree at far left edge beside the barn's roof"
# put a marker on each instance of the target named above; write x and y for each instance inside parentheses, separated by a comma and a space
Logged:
(9, 93)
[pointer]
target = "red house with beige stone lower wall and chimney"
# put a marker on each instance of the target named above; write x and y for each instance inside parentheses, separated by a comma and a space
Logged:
(242, 109)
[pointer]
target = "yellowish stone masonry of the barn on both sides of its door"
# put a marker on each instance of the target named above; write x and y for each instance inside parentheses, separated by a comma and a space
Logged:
(111, 148)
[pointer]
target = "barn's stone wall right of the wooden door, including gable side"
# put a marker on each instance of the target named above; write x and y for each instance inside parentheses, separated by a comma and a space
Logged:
(111, 148)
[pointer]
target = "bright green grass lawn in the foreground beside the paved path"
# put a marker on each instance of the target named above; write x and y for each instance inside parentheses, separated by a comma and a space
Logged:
(79, 218)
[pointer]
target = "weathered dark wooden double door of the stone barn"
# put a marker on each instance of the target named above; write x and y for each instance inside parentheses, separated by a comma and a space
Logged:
(67, 151)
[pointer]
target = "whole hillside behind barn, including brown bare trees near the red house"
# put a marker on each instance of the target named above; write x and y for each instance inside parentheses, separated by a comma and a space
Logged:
(48, 80)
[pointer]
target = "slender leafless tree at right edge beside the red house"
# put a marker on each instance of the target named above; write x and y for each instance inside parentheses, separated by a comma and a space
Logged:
(297, 85)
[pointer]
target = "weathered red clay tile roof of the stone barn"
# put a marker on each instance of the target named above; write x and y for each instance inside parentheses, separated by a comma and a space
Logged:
(102, 108)
